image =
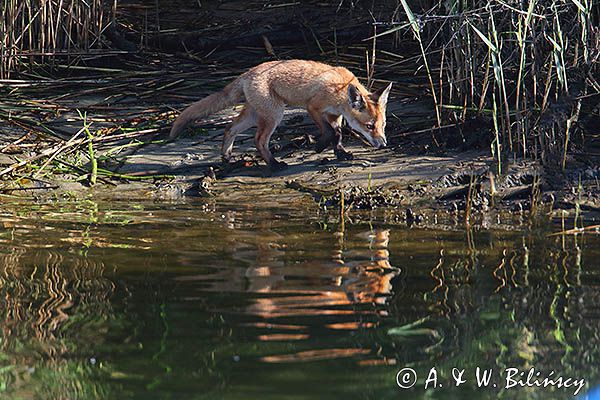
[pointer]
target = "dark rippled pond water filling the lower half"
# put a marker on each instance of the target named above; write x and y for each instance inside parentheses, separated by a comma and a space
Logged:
(126, 300)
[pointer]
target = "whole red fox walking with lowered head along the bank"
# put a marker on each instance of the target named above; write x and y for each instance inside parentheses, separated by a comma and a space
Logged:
(328, 93)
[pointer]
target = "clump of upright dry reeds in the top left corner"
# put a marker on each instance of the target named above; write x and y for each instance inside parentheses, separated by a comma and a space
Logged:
(42, 29)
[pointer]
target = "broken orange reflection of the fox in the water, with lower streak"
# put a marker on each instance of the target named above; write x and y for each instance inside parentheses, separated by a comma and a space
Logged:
(344, 295)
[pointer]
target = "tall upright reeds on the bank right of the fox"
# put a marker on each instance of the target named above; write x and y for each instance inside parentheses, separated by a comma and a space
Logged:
(527, 66)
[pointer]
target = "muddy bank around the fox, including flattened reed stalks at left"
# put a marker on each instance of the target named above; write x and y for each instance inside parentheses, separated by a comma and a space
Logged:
(135, 161)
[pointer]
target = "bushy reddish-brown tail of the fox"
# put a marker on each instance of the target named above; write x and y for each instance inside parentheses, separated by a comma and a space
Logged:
(229, 96)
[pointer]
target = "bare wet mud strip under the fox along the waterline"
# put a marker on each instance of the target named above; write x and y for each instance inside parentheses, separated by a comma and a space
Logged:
(396, 178)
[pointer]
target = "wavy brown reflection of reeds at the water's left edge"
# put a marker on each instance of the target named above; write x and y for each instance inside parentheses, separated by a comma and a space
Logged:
(42, 296)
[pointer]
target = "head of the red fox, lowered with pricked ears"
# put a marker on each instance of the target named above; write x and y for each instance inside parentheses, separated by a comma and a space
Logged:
(365, 113)
